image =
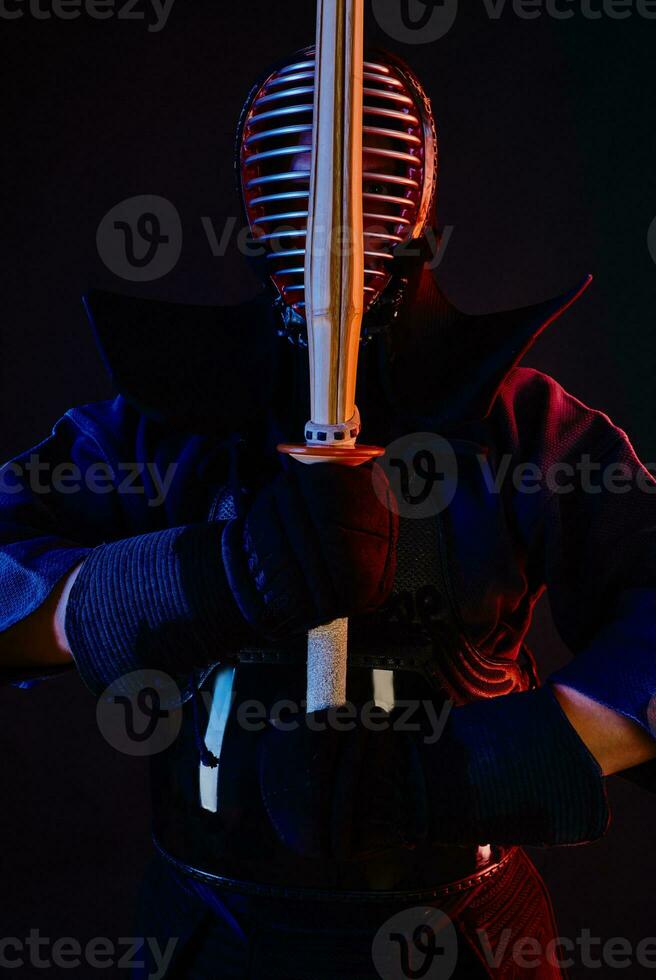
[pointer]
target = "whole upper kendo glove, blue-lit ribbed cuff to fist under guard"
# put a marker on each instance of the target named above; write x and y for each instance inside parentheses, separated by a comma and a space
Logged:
(316, 543)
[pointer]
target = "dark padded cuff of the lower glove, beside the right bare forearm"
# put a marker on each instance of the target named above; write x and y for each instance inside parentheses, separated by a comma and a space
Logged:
(514, 770)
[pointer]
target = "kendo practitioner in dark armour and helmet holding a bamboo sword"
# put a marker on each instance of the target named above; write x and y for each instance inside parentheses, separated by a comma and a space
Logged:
(283, 849)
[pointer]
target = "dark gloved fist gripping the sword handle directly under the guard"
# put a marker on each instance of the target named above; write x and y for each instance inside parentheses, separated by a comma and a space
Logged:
(316, 544)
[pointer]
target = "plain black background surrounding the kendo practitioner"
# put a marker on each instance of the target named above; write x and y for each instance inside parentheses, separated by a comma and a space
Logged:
(548, 171)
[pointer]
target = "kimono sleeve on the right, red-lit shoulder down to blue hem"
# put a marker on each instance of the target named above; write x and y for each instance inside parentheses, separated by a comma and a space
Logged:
(593, 535)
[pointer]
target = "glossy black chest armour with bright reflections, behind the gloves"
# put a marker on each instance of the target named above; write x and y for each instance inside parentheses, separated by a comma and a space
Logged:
(208, 815)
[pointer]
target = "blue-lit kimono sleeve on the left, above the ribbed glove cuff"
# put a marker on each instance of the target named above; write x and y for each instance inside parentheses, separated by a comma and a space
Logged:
(100, 476)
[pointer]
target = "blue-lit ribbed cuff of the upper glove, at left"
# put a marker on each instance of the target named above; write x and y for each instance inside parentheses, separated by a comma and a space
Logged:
(157, 601)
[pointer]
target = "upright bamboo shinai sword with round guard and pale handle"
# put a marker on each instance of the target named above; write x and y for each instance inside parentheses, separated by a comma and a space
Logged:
(334, 290)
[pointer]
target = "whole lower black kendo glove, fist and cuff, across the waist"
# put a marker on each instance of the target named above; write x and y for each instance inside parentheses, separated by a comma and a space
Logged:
(508, 770)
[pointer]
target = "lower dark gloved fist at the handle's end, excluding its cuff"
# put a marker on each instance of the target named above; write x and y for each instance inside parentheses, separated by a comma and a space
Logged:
(337, 792)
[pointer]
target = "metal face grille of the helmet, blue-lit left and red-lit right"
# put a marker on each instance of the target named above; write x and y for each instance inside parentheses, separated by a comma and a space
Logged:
(399, 164)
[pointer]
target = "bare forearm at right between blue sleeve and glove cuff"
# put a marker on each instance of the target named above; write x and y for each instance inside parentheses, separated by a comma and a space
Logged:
(616, 742)
